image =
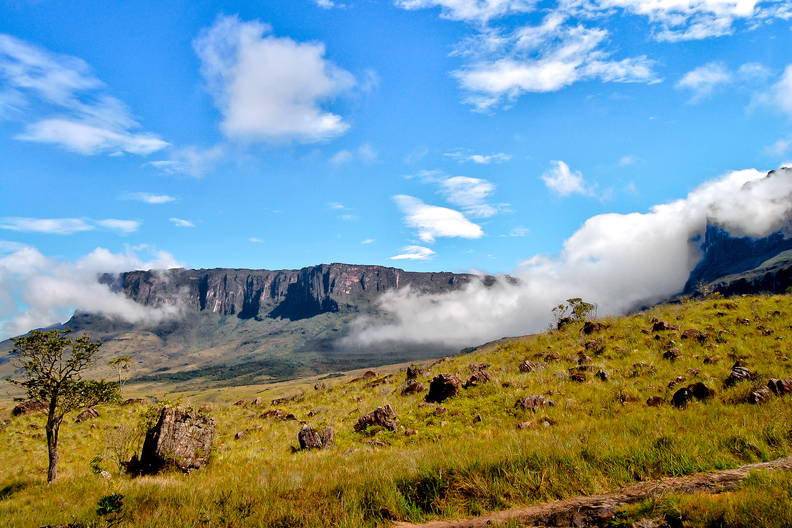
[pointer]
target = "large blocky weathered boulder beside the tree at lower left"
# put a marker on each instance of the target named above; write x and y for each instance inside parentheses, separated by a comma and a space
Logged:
(182, 438)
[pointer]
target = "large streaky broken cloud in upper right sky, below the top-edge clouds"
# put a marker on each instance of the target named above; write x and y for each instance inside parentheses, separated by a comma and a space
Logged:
(543, 58)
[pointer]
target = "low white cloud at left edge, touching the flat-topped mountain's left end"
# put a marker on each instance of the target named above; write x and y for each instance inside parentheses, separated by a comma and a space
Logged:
(37, 291)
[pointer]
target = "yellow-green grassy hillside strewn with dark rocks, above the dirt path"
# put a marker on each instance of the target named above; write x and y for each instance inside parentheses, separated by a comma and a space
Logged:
(479, 453)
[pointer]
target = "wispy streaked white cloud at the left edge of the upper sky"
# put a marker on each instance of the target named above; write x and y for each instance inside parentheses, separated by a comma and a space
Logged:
(94, 122)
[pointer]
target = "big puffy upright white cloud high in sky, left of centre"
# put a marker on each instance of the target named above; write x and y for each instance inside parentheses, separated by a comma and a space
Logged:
(270, 88)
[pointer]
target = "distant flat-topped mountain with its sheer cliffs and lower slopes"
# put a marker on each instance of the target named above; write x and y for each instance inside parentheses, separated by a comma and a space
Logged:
(241, 326)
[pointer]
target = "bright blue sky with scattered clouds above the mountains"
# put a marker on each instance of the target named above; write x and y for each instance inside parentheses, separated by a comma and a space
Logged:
(426, 134)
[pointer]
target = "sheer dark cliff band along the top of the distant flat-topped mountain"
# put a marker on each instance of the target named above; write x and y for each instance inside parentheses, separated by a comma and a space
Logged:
(289, 294)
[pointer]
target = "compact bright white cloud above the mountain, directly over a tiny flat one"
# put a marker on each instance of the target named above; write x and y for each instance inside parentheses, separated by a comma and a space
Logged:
(431, 221)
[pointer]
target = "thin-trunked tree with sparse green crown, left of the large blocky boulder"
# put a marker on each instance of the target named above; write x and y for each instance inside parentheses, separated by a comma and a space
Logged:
(51, 365)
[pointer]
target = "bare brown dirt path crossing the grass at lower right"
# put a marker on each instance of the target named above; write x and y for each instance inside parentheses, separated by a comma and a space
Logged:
(597, 510)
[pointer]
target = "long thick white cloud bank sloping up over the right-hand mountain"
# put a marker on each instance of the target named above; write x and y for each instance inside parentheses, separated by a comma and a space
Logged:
(618, 261)
